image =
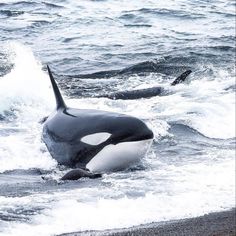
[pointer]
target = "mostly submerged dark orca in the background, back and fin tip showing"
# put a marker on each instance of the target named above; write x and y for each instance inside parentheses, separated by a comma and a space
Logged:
(145, 93)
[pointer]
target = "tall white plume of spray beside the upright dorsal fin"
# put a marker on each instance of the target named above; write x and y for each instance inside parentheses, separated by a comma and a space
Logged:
(26, 84)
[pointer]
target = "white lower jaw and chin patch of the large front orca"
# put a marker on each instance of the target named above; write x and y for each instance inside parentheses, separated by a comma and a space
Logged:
(119, 156)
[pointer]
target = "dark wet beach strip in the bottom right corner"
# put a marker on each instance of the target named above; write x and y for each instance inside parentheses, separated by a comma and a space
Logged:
(213, 224)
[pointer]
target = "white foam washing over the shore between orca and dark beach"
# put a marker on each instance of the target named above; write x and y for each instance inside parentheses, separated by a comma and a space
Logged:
(187, 191)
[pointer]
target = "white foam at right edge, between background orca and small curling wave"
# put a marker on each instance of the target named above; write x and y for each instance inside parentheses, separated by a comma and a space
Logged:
(203, 105)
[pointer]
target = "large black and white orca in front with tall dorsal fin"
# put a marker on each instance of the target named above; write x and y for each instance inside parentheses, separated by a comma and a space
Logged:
(93, 141)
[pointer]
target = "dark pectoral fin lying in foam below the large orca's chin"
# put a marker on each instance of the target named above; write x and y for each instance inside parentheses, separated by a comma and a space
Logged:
(80, 173)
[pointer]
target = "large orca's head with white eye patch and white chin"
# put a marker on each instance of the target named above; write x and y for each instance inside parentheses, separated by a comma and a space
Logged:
(117, 142)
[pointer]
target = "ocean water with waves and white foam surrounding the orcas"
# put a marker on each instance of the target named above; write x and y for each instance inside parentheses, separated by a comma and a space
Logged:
(96, 47)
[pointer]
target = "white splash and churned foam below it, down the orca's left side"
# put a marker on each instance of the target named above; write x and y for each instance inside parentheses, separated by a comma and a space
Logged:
(25, 90)
